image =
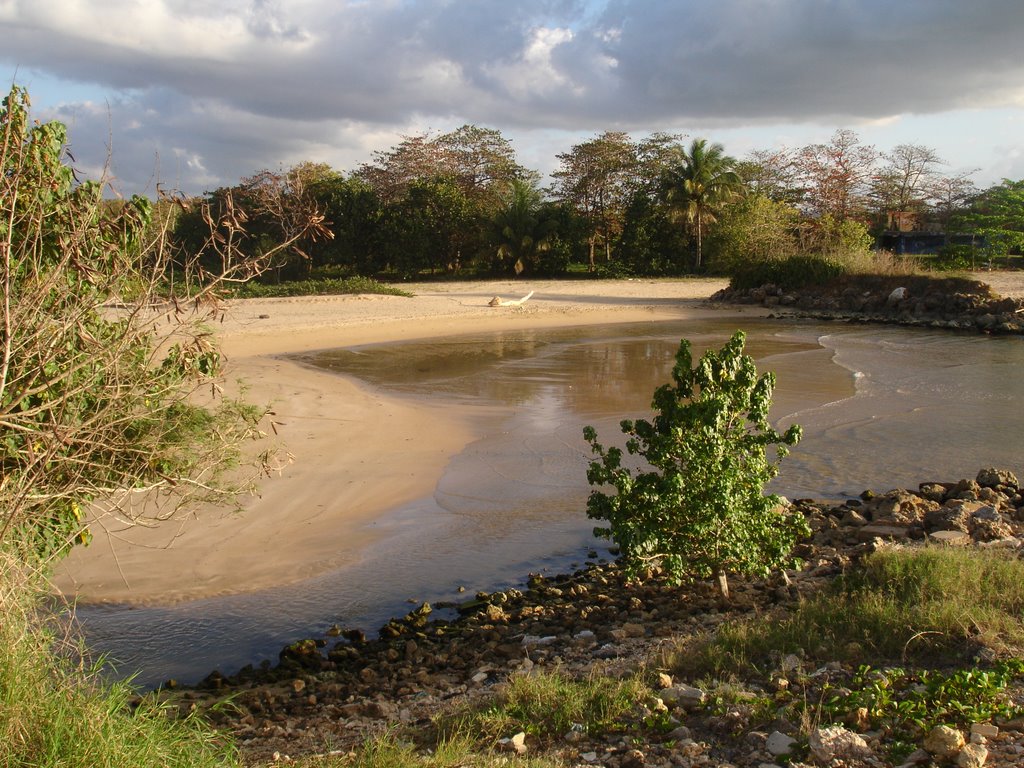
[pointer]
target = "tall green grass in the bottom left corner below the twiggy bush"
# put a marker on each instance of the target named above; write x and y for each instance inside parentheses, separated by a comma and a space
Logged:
(56, 711)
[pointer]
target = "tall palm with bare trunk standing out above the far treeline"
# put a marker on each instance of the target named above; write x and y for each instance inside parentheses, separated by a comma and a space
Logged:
(699, 187)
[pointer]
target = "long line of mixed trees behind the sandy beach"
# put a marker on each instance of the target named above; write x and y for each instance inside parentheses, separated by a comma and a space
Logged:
(460, 203)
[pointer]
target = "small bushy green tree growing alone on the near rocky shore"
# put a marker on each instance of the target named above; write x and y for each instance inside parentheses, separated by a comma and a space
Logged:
(701, 509)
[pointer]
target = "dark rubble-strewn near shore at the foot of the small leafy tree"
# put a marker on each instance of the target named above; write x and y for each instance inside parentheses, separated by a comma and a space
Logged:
(339, 691)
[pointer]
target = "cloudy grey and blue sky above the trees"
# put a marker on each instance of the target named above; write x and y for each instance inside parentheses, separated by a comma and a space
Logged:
(197, 95)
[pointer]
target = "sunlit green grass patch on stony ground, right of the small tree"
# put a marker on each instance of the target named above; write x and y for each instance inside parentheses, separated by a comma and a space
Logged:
(934, 607)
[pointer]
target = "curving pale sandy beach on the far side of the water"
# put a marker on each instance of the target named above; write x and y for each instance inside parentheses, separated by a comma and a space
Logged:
(357, 453)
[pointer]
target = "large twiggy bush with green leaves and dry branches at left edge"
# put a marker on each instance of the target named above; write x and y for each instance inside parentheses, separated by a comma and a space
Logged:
(99, 364)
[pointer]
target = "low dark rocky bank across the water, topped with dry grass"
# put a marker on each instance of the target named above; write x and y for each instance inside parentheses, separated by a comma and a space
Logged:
(920, 302)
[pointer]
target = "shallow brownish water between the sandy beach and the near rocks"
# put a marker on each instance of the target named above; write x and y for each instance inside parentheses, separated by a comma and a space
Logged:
(881, 408)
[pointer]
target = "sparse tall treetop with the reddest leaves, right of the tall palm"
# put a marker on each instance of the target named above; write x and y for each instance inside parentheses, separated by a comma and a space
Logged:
(837, 177)
